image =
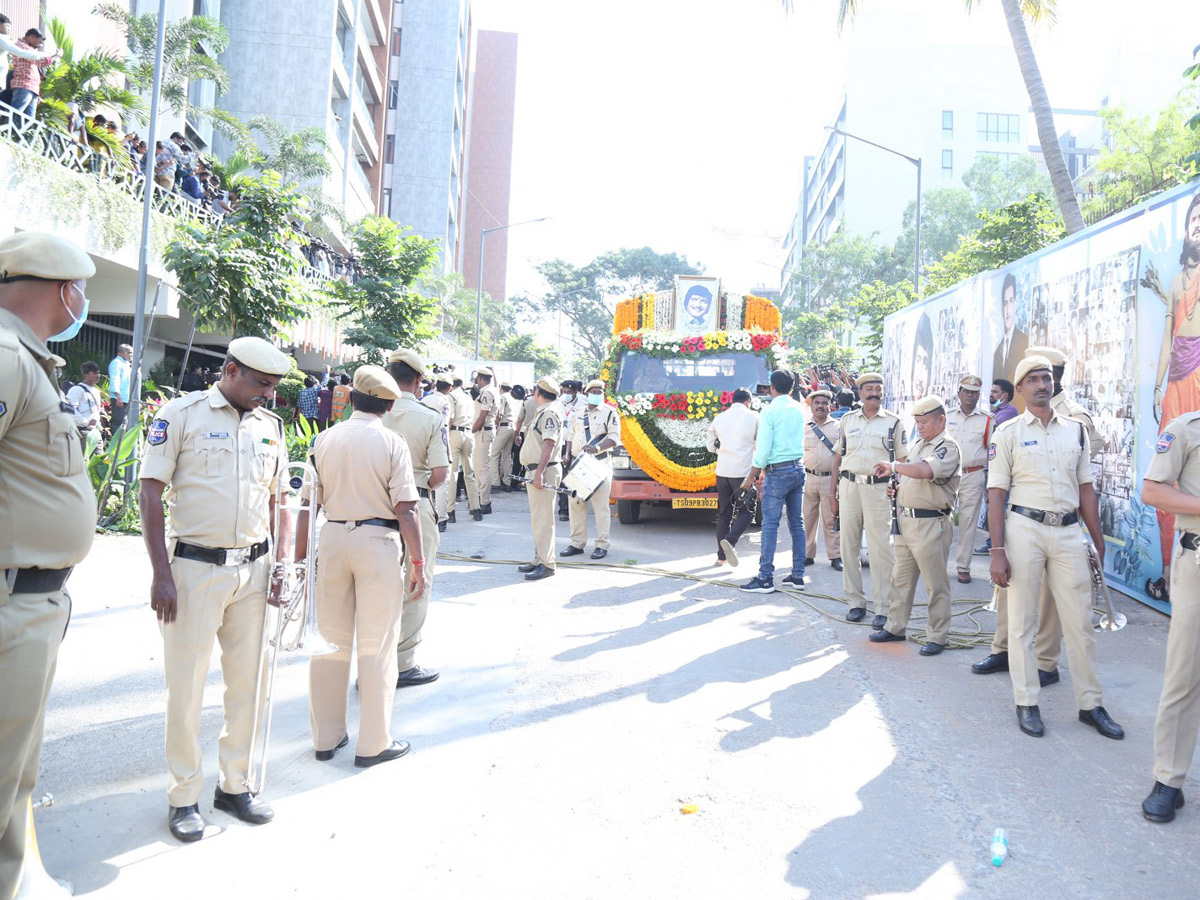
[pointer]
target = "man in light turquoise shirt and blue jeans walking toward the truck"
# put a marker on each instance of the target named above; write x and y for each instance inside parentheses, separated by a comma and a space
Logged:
(779, 453)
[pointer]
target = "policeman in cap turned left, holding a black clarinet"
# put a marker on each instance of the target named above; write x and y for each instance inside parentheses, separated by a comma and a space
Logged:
(926, 501)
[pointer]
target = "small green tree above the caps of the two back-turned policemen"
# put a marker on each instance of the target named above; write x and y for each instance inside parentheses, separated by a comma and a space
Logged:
(383, 309)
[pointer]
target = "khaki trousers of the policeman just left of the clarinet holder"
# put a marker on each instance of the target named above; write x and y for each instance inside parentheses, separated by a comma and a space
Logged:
(866, 508)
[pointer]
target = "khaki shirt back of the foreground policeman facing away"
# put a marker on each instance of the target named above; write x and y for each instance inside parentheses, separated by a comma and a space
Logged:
(363, 470)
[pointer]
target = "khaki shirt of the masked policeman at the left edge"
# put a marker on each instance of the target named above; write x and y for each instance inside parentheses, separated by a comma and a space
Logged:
(47, 506)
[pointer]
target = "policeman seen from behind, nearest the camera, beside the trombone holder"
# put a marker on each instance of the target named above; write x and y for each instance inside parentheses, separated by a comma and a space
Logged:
(365, 485)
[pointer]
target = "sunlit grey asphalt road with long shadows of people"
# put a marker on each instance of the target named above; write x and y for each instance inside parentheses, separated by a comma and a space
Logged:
(578, 716)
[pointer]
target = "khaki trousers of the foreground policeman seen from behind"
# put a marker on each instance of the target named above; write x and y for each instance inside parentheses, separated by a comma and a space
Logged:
(359, 593)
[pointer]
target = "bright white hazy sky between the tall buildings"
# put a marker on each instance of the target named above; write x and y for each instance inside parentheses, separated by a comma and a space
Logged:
(682, 124)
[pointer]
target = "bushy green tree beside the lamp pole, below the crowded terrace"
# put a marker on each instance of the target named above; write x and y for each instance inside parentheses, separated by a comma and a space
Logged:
(242, 275)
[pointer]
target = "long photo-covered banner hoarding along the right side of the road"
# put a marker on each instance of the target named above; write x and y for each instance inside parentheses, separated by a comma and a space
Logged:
(1102, 298)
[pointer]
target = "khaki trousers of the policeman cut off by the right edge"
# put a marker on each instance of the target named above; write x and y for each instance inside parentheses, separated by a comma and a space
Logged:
(1179, 710)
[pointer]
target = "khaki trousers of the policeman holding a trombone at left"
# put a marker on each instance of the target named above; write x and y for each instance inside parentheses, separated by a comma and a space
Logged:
(227, 603)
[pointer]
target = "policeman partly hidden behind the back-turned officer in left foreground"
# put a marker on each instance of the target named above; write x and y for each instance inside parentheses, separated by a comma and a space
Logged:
(422, 430)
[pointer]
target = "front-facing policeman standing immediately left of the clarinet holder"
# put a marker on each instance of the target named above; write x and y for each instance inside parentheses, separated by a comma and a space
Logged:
(862, 499)
